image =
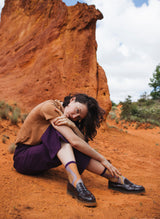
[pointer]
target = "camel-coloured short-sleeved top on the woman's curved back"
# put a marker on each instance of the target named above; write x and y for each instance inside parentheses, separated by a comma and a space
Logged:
(38, 121)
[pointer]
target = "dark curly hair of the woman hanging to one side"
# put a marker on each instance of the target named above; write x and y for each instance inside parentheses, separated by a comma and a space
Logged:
(88, 126)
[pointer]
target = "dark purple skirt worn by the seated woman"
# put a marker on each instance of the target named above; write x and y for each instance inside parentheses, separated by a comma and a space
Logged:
(34, 159)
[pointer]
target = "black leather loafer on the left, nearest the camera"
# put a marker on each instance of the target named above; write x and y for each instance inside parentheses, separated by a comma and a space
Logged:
(82, 194)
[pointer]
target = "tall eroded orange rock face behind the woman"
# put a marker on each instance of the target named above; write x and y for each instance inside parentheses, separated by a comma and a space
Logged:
(48, 50)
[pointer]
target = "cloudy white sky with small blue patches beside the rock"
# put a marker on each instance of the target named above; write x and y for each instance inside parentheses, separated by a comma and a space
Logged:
(128, 40)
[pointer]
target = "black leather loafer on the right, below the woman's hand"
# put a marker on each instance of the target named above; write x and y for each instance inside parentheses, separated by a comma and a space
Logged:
(127, 187)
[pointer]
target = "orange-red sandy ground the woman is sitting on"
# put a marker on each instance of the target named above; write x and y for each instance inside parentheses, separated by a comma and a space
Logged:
(135, 152)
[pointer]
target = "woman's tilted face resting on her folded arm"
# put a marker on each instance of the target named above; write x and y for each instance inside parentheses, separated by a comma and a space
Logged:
(75, 111)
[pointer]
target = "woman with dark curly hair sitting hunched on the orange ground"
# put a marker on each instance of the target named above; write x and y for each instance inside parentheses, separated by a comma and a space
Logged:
(56, 133)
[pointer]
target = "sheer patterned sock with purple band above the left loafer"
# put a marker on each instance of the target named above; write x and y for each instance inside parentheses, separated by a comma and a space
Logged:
(73, 174)
